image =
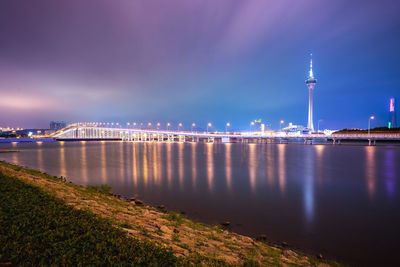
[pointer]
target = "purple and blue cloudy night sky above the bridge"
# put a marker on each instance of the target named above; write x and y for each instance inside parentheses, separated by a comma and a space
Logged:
(198, 61)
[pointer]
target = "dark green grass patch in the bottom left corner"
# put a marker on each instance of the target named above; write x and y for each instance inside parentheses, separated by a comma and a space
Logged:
(38, 229)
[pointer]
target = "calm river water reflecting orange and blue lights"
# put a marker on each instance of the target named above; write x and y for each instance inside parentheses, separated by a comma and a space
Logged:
(341, 201)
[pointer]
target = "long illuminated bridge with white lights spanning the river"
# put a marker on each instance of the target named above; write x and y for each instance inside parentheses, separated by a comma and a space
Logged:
(83, 132)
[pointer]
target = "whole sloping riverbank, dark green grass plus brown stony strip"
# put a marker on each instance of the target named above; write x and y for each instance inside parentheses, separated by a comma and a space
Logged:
(45, 220)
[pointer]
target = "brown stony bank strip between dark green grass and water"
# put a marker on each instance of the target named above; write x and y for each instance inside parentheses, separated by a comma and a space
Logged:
(195, 243)
